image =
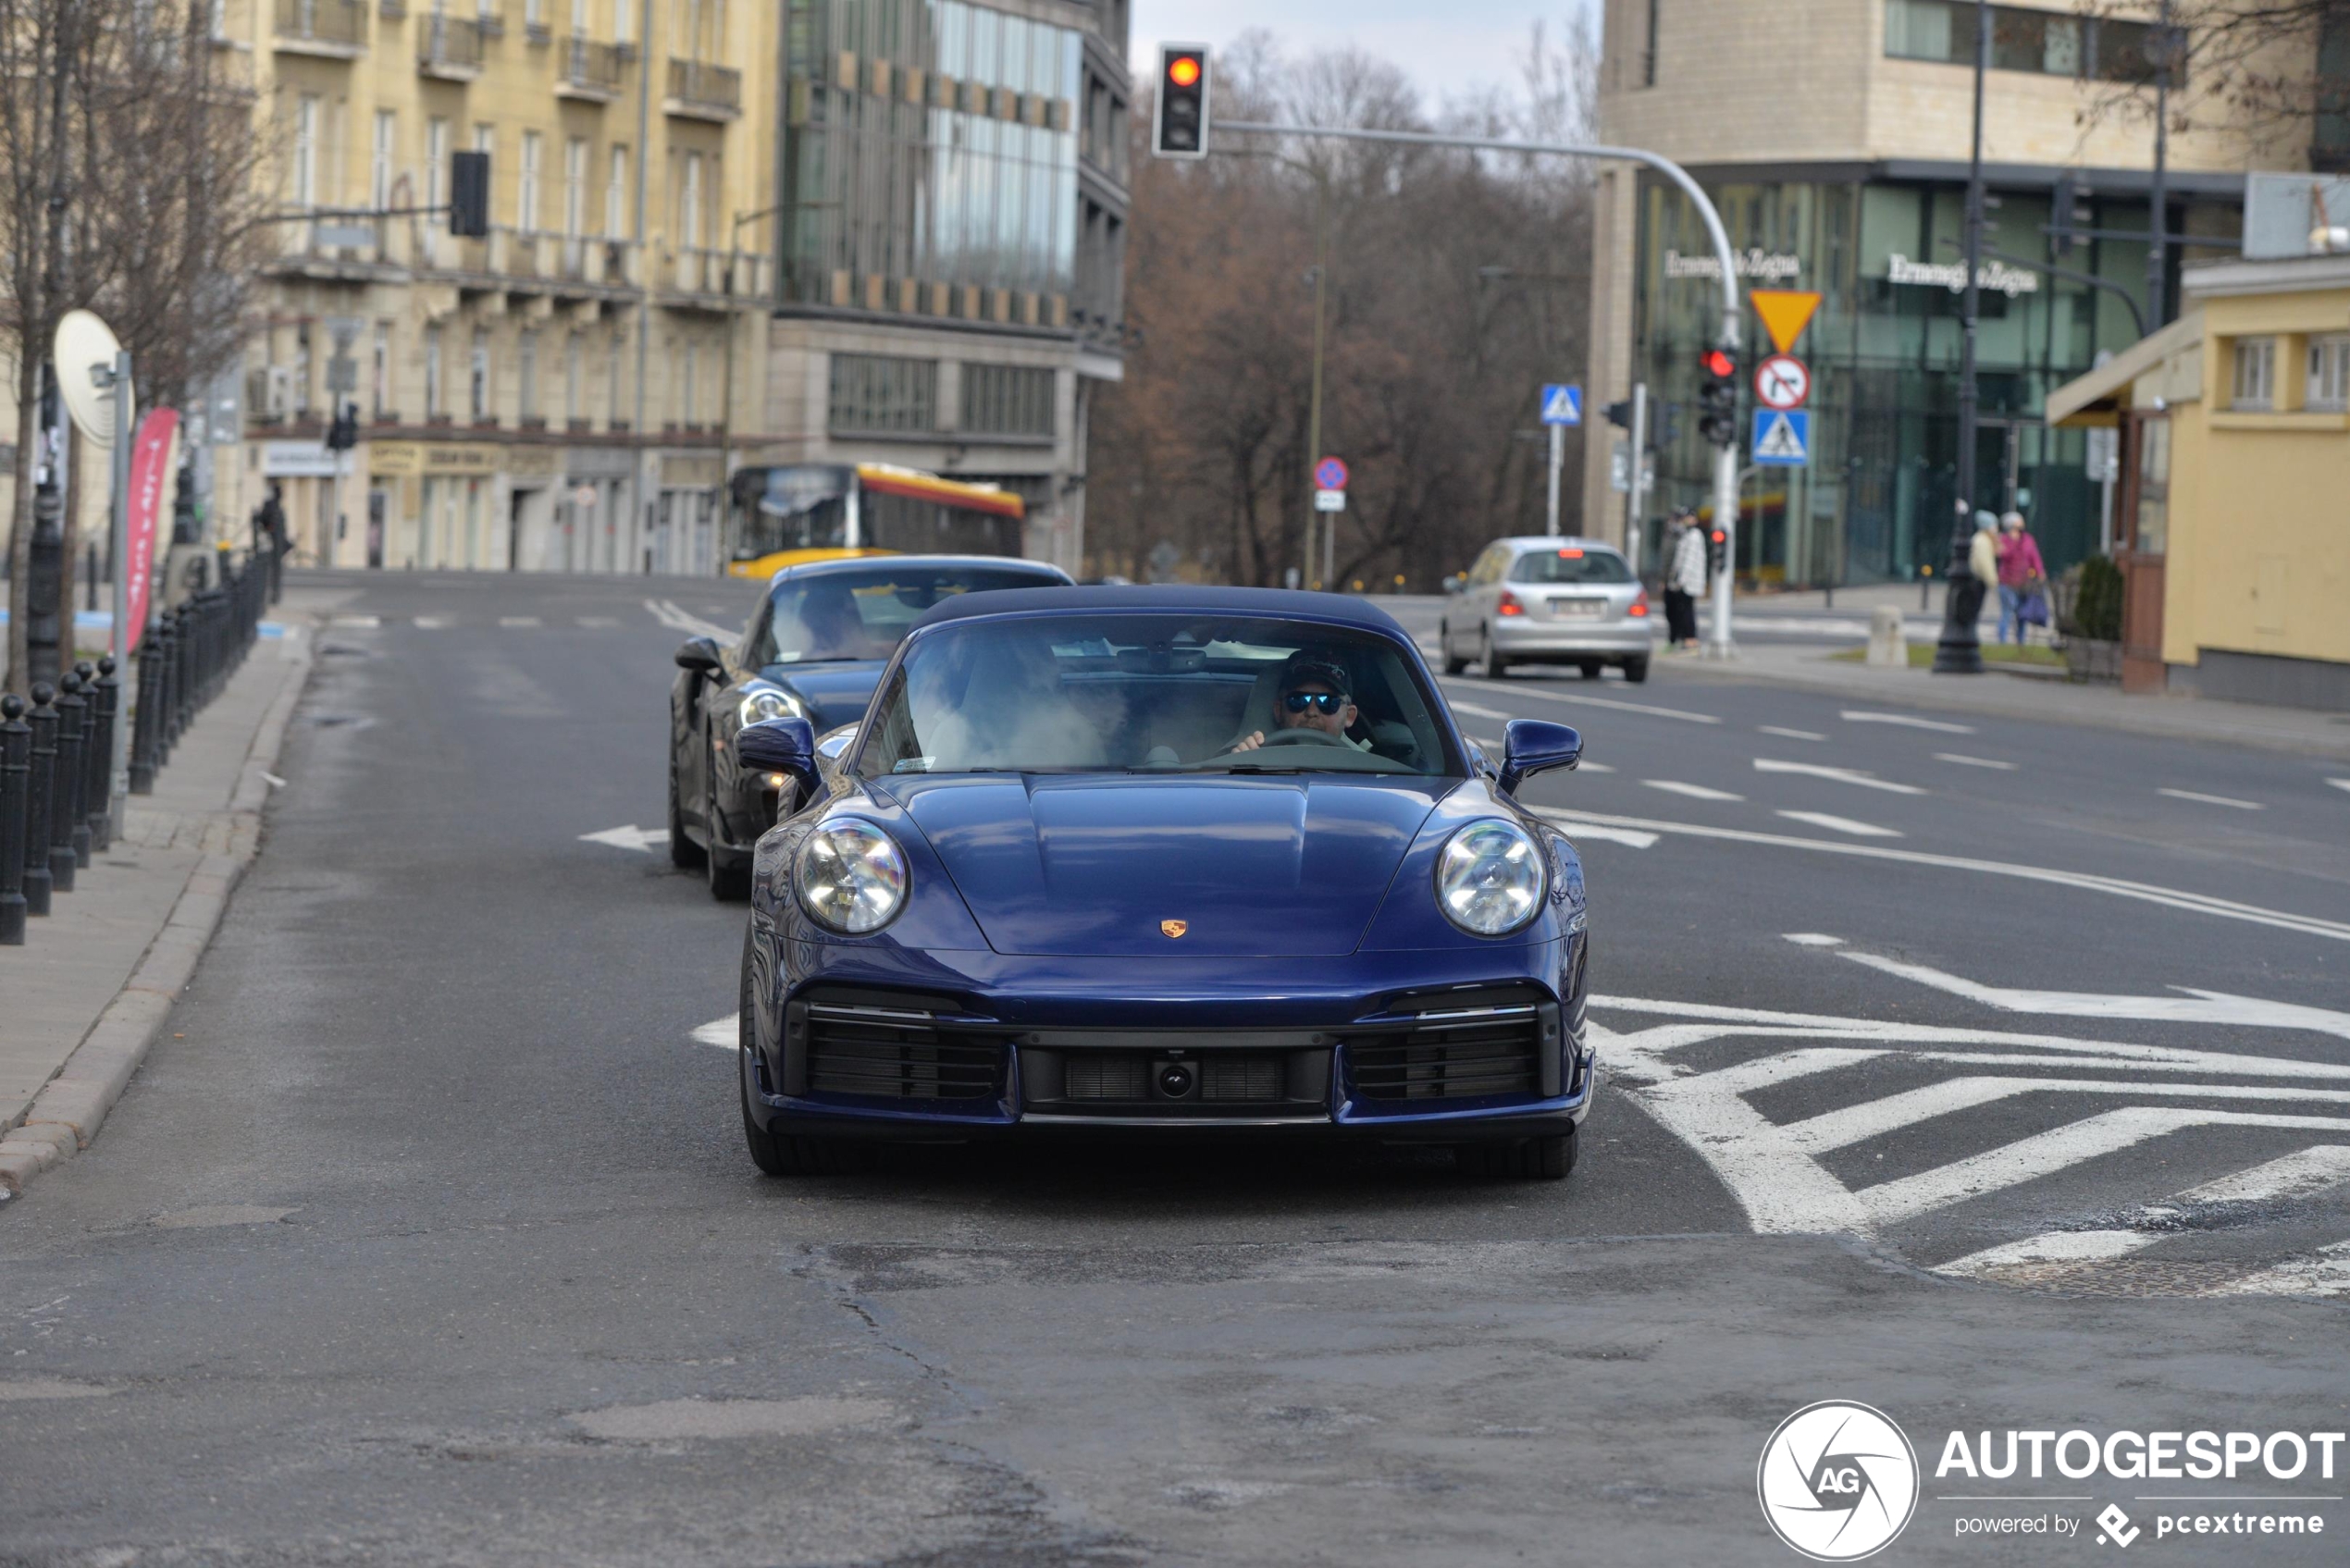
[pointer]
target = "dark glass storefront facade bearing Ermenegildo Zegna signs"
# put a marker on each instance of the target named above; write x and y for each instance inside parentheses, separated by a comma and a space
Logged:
(1876, 497)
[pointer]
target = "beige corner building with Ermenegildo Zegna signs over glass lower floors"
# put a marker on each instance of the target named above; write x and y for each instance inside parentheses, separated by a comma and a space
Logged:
(1834, 138)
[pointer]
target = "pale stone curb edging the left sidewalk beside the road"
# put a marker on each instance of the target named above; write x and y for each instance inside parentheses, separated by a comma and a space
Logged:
(72, 1106)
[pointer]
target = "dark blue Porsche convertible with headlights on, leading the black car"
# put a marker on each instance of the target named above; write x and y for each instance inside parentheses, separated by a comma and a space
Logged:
(1162, 859)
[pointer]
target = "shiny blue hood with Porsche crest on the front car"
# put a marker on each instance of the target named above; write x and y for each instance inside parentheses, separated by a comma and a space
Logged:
(1096, 866)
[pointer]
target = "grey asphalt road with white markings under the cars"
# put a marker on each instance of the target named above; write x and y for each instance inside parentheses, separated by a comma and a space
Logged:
(429, 1235)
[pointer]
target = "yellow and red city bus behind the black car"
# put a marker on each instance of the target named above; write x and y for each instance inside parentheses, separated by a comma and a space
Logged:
(788, 514)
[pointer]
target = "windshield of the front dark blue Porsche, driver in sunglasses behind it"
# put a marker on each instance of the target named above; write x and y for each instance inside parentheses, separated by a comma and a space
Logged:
(1153, 695)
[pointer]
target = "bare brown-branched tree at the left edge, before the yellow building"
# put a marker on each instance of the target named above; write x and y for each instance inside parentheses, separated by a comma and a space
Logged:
(130, 185)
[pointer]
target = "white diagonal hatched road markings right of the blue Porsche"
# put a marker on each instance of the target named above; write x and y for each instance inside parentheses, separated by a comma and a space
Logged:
(1994, 1155)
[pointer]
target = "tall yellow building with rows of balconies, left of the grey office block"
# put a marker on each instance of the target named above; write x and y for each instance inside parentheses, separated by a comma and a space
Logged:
(551, 396)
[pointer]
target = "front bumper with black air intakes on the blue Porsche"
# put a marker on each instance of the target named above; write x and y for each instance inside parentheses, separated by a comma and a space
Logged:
(1395, 1047)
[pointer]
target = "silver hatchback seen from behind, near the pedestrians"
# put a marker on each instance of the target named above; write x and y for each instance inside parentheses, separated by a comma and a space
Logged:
(1547, 601)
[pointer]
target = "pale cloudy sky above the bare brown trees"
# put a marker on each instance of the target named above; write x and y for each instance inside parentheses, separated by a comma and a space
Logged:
(1449, 46)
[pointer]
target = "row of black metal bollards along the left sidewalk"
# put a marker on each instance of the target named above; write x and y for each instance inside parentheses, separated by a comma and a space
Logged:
(58, 751)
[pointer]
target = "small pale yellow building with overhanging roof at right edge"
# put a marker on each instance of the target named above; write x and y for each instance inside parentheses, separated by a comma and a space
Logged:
(2236, 481)
